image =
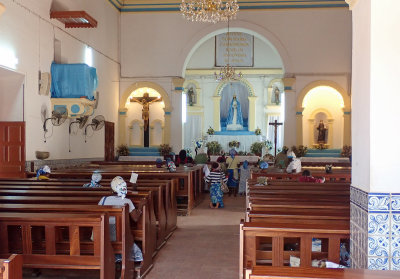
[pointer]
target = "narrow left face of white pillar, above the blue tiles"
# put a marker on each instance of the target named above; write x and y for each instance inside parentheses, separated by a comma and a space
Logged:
(361, 101)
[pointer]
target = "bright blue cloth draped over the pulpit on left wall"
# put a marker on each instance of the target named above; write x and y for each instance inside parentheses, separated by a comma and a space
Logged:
(73, 81)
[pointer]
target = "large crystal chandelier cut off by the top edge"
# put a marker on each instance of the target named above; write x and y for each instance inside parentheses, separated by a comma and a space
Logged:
(209, 10)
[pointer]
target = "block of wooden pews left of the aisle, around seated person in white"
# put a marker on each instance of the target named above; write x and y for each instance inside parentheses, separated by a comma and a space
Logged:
(58, 224)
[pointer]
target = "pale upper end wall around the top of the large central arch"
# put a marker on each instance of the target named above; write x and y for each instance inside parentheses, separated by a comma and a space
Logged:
(308, 40)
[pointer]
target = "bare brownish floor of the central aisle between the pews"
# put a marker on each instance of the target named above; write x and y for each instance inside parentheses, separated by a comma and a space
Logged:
(205, 245)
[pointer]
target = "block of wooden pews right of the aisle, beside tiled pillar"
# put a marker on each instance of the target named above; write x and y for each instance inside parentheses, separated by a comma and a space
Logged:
(282, 220)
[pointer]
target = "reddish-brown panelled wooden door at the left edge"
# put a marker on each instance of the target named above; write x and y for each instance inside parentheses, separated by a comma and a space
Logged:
(12, 149)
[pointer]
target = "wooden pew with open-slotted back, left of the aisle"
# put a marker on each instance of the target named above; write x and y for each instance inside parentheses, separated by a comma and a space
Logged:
(100, 255)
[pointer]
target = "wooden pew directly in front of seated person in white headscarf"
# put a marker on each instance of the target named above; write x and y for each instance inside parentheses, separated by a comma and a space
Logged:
(143, 231)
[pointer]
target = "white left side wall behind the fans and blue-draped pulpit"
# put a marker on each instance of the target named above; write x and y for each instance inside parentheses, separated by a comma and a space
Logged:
(27, 29)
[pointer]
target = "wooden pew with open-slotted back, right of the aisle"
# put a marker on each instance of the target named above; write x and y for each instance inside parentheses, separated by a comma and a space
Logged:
(253, 234)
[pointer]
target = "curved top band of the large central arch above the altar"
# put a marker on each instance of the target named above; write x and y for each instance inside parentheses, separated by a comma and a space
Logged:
(235, 26)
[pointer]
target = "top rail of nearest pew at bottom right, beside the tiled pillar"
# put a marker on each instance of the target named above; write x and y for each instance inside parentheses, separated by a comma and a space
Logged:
(268, 272)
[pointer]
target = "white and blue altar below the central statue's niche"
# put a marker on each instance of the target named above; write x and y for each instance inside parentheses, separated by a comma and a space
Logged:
(245, 138)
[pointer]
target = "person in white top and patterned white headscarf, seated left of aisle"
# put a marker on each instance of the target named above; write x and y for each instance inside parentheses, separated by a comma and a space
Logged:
(119, 187)
